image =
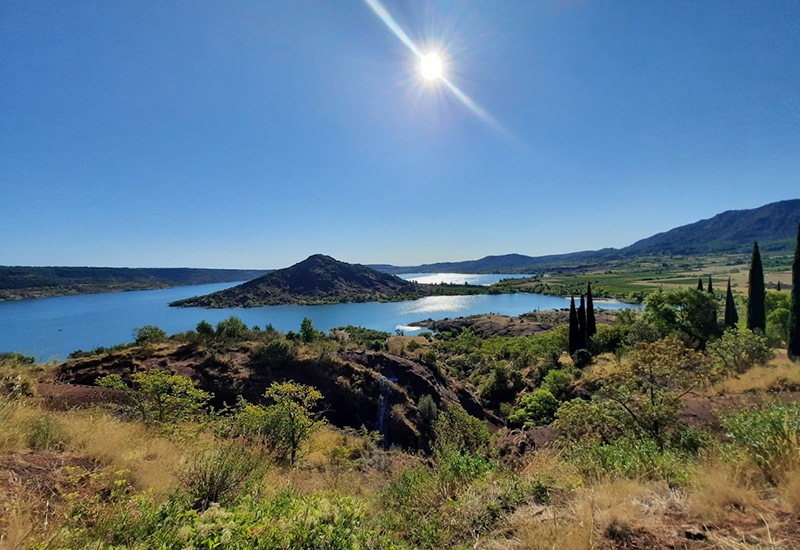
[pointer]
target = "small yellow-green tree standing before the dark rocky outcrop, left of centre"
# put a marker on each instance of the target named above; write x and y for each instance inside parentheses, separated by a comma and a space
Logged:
(289, 419)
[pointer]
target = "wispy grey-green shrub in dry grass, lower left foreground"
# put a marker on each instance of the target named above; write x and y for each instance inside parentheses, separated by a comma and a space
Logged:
(220, 475)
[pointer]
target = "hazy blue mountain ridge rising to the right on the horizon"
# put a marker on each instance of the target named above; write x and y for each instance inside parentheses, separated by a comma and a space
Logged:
(773, 225)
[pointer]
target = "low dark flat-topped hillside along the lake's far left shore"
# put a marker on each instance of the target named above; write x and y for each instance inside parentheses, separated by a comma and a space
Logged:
(18, 282)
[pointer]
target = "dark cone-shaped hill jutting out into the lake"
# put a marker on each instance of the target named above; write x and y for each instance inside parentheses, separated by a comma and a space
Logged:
(317, 279)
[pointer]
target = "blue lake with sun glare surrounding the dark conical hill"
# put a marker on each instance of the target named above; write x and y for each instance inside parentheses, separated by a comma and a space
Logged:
(52, 328)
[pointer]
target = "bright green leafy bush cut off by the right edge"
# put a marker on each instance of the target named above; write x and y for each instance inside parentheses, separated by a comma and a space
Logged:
(770, 434)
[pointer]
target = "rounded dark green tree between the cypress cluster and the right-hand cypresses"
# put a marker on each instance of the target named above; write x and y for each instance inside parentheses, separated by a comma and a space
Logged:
(684, 314)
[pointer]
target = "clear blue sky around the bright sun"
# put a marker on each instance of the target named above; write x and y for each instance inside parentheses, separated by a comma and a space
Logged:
(251, 134)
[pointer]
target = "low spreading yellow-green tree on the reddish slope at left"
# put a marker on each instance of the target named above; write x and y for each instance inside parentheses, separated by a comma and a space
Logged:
(157, 396)
